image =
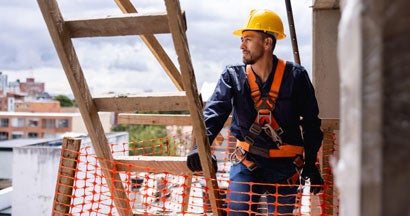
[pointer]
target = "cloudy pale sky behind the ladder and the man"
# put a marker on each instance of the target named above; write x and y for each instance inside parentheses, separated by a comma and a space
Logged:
(124, 64)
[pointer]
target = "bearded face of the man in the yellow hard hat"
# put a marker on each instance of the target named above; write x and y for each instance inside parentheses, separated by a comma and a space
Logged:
(251, 46)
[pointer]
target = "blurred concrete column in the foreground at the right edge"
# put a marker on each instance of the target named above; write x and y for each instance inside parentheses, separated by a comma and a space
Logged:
(374, 55)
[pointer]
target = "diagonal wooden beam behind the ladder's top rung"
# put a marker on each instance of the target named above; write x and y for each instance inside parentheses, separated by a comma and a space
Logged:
(155, 47)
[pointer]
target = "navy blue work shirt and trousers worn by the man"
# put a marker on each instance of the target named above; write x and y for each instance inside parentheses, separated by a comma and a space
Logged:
(295, 106)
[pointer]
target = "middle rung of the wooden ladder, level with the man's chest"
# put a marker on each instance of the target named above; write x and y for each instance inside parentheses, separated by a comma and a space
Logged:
(131, 103)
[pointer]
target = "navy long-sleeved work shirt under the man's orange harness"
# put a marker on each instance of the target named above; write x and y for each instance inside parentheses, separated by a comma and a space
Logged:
(296, 109)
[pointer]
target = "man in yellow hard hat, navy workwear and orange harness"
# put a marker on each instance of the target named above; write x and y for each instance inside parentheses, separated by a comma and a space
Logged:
(274, 118)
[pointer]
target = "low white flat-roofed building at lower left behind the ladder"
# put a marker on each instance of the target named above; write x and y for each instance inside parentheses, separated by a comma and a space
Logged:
(32, 165)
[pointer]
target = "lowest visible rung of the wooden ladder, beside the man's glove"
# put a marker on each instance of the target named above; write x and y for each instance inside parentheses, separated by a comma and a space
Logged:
(169, 164)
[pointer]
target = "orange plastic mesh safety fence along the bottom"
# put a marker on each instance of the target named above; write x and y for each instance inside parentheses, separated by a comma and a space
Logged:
(154, 191)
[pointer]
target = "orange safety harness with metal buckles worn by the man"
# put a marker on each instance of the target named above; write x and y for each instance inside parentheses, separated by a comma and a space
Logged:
(265, 121)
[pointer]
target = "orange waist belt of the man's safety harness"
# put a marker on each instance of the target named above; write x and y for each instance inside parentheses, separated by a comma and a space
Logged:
(285, 150)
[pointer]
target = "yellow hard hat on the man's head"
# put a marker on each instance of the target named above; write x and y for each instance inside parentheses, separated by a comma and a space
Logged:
(263, 20)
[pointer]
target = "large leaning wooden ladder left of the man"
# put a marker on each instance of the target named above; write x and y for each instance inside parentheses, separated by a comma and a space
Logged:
(131, 23)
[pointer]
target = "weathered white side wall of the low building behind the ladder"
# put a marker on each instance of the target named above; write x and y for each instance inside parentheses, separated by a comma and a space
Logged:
(35, 175)
